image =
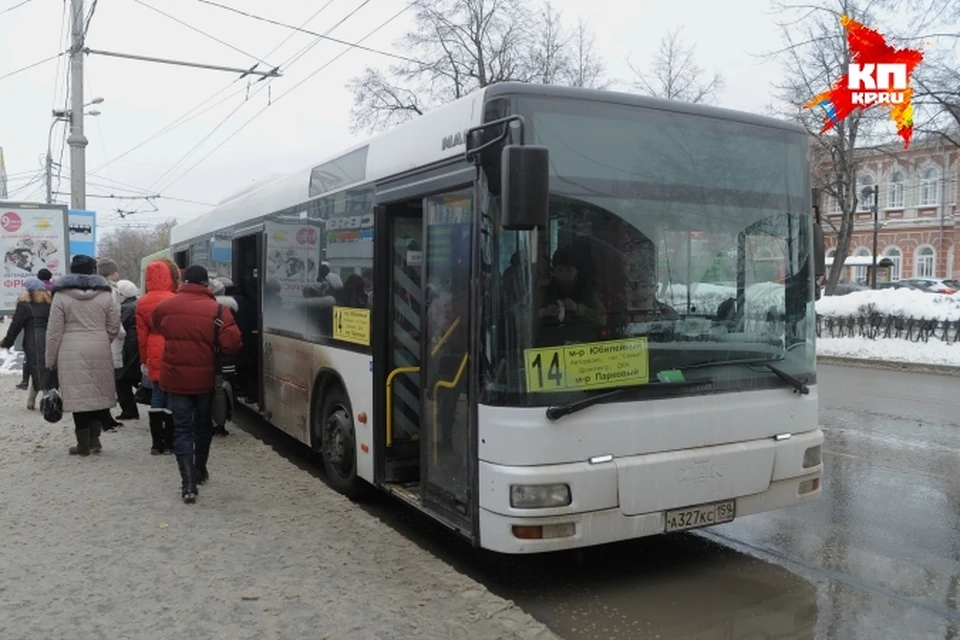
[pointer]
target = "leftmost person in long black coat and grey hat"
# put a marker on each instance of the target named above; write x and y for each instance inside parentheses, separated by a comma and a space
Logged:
(31, 316)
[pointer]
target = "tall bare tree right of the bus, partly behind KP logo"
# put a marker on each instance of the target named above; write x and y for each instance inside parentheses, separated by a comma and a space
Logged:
(815, 56)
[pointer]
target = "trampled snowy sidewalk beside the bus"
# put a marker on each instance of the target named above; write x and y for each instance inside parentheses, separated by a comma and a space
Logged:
(102, 547)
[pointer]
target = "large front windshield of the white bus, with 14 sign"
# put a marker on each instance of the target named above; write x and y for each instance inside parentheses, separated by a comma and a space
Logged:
(673, 240)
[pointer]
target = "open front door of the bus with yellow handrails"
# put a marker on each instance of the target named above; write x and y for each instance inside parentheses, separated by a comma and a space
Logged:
(424, 300)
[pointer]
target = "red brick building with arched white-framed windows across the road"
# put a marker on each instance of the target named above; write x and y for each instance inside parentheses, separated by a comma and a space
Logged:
(917, 205)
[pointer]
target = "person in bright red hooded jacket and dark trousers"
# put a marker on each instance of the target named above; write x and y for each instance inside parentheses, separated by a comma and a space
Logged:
(161, 281)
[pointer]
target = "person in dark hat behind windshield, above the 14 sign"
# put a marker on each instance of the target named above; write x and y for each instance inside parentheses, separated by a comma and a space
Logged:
(572, 310)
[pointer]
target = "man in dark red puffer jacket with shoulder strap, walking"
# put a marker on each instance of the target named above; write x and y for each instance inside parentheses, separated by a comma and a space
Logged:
(188, 322)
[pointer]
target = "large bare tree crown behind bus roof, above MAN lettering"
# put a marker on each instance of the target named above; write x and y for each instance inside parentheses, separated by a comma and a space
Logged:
(458, 46)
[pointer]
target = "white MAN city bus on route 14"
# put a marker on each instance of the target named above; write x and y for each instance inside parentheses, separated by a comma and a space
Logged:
(676, 388)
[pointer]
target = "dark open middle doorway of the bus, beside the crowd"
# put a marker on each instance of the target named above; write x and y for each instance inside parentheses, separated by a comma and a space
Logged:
(247, 253)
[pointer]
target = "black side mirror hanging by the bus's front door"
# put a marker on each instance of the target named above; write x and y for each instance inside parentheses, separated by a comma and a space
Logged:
(525, 180)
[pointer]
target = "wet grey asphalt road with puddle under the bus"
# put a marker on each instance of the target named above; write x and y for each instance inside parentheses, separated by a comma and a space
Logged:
(878, 556)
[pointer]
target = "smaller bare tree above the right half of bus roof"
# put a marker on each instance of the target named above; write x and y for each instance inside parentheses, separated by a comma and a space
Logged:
(675, 75)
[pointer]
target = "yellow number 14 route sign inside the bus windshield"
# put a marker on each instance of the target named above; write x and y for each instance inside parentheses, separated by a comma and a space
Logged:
(594, 365)
